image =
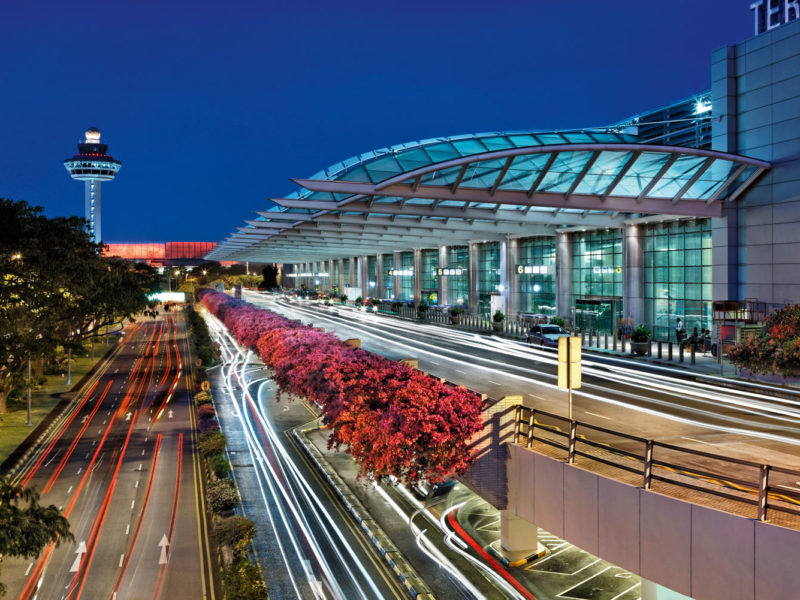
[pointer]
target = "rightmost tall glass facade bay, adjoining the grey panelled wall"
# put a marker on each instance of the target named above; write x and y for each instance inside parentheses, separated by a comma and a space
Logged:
(677, 276)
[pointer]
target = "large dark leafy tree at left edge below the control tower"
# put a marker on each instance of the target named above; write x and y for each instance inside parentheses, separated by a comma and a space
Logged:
(56, 288)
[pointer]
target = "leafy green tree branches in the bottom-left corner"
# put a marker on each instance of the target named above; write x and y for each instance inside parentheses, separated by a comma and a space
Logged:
(26, 526)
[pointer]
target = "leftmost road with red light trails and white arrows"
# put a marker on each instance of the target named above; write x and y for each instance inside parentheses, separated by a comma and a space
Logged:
(122, 466)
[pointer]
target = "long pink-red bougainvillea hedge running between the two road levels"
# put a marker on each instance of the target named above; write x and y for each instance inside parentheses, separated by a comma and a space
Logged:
(393, 419)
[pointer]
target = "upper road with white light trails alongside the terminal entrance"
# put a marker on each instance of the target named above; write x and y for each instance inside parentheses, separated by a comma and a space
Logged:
(669, 404)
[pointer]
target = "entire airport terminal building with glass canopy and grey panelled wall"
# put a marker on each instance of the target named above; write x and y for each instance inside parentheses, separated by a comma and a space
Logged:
(649, 219)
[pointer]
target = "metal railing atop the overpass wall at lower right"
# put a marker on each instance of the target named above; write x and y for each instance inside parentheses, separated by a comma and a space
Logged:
(573, 437)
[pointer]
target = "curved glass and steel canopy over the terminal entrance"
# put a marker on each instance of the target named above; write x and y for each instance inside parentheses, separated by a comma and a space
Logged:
(448, 191)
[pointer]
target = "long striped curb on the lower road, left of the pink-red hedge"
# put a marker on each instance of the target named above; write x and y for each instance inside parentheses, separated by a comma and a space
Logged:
(414, 585)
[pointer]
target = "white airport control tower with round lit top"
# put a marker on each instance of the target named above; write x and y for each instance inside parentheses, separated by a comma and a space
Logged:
(92, 165)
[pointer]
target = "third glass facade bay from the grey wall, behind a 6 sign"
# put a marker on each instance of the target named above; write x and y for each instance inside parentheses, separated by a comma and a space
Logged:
(537, 280)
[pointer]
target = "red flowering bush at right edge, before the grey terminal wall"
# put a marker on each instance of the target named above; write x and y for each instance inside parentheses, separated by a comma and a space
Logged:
(776, 350)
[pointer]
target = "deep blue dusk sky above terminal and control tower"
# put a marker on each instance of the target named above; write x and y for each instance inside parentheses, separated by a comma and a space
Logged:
(212, 106)
